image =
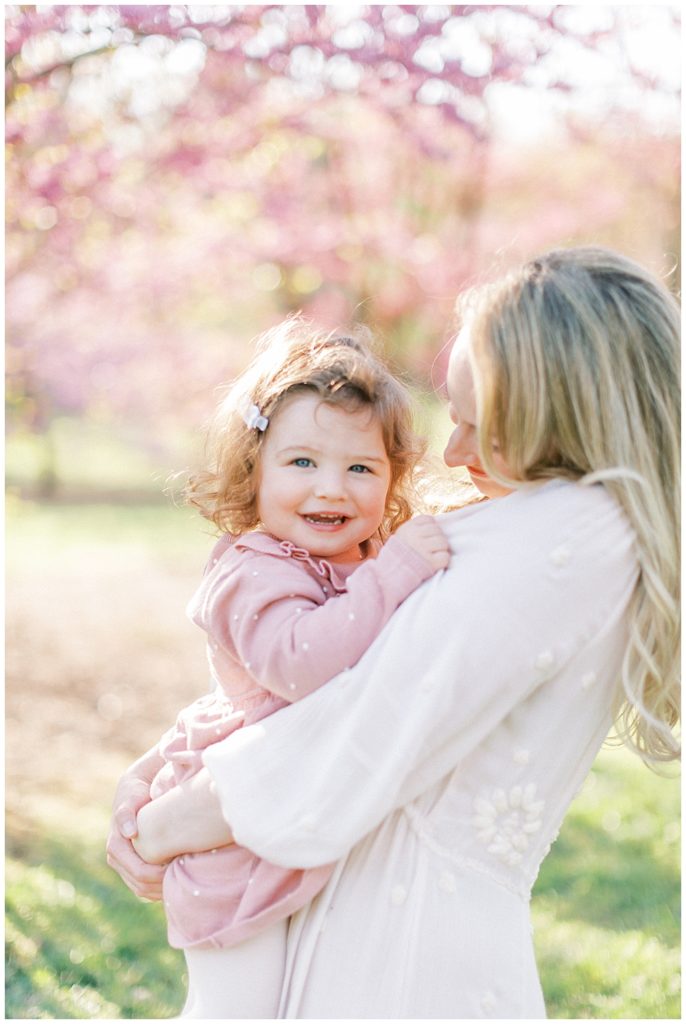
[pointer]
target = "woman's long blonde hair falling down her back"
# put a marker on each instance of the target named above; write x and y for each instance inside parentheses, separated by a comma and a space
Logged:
(577, 369)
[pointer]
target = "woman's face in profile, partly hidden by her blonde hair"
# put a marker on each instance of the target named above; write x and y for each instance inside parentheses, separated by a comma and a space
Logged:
(463, 446)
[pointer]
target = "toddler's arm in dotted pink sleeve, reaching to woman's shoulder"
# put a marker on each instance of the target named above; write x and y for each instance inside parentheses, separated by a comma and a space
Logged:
(275, 617)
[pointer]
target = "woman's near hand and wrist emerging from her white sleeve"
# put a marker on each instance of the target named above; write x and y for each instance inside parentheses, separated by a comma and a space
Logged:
(188, 820)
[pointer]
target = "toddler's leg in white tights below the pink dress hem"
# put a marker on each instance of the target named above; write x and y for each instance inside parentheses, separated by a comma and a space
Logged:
(244, 982)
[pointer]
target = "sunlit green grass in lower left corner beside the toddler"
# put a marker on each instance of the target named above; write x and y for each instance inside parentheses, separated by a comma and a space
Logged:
(79, 945)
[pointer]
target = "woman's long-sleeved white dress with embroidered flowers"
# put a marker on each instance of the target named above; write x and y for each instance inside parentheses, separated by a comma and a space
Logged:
(439, 771)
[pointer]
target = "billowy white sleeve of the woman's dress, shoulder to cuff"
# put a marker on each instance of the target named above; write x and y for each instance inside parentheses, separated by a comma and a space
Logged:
(534, 578)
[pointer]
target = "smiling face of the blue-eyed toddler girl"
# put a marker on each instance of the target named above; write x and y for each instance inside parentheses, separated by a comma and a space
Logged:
(324, 478)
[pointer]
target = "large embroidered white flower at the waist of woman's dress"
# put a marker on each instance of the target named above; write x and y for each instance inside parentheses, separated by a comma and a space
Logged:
(506, 822)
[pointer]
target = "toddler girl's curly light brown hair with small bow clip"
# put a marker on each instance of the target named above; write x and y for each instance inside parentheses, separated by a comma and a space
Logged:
(296, 358)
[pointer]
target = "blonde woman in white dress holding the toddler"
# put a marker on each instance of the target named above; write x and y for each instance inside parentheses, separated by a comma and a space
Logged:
(439, 771)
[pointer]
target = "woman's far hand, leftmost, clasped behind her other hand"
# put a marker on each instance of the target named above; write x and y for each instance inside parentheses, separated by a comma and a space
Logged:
(134, 793)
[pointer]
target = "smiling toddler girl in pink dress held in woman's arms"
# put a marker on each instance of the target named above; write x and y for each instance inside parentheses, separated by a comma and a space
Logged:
(312, 458)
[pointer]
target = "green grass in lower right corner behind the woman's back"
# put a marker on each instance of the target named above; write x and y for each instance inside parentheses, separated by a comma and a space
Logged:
(607, 903)
